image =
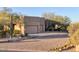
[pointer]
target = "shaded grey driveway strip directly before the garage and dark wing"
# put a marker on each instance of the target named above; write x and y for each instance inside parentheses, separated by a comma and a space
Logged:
(48, 35)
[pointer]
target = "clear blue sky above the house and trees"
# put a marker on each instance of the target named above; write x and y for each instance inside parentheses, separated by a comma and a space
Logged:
(72, 12)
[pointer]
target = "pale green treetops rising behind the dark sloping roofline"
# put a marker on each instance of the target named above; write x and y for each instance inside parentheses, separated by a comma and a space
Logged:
(57, 18)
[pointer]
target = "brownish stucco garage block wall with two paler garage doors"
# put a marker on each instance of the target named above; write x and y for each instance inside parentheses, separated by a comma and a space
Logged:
(34, 24)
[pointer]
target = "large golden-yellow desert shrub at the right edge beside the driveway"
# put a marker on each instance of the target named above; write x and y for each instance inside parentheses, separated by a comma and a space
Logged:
(73, 30)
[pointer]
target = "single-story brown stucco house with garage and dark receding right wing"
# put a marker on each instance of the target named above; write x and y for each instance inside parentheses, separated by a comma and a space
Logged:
(34, 24)
